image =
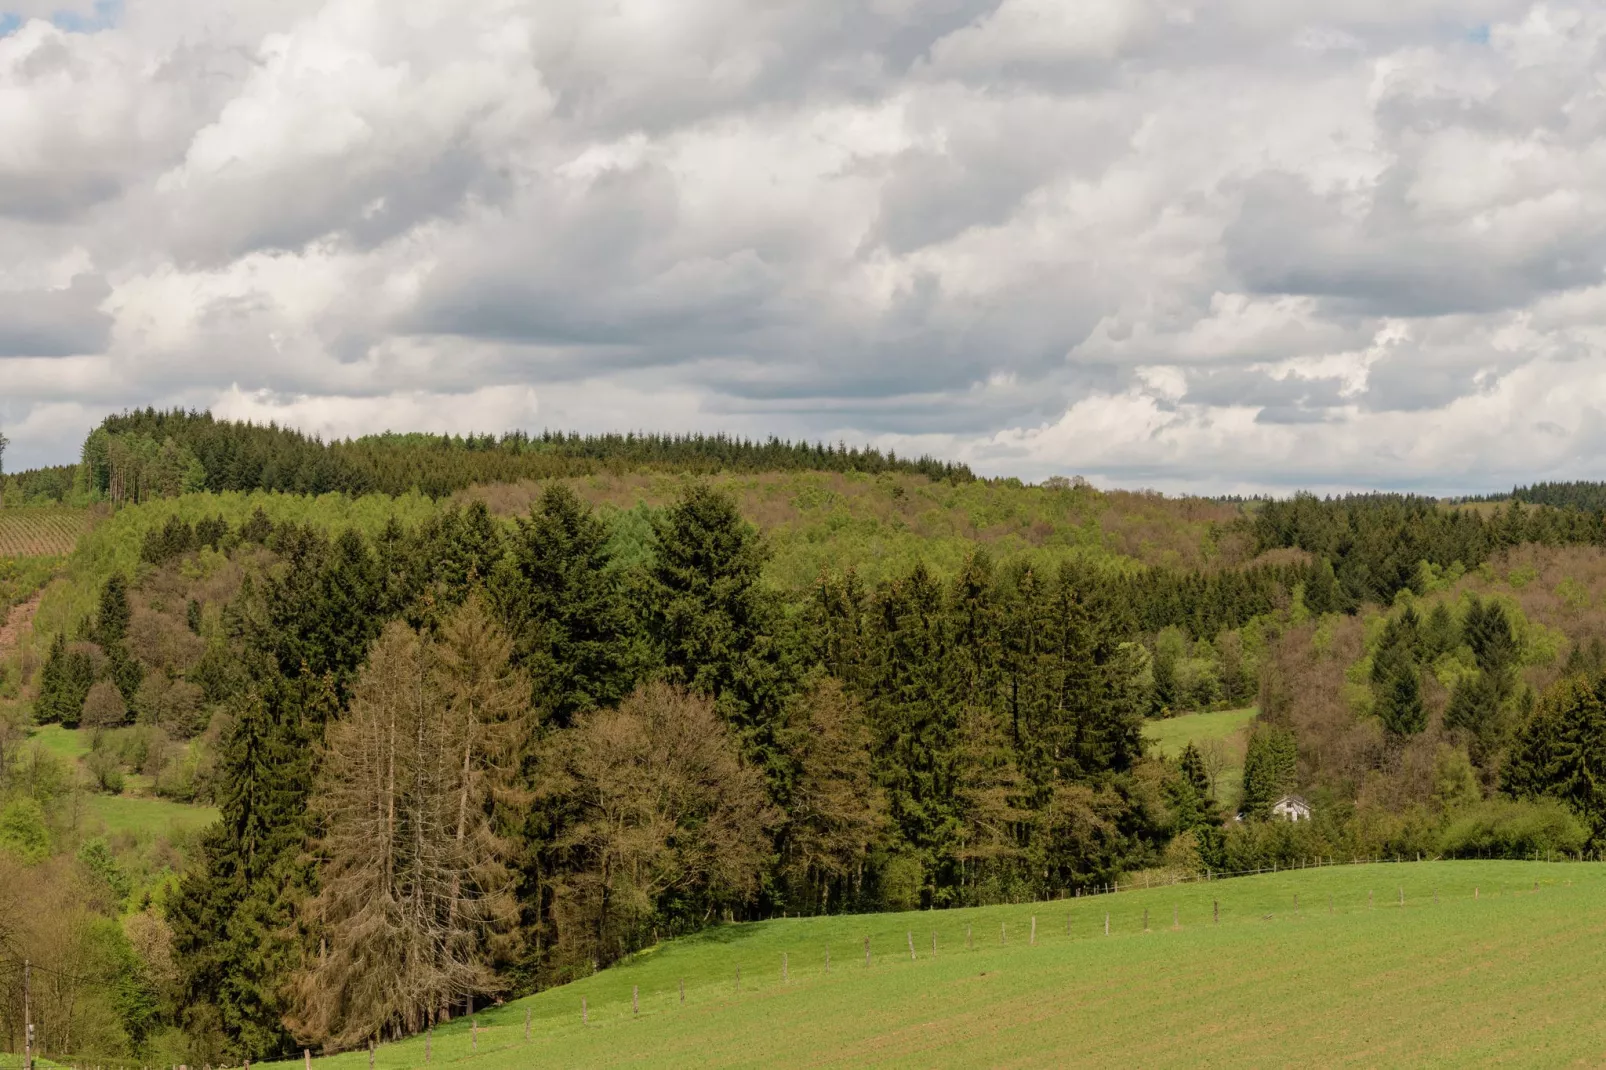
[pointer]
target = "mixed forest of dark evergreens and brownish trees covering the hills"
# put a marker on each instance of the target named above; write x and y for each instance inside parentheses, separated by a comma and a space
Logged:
(460, 754)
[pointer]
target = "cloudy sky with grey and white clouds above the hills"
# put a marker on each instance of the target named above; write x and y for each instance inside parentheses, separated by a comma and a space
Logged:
(1223, 248)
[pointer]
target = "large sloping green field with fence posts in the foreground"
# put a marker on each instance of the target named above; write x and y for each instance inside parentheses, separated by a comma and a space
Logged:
(1305, 968)
